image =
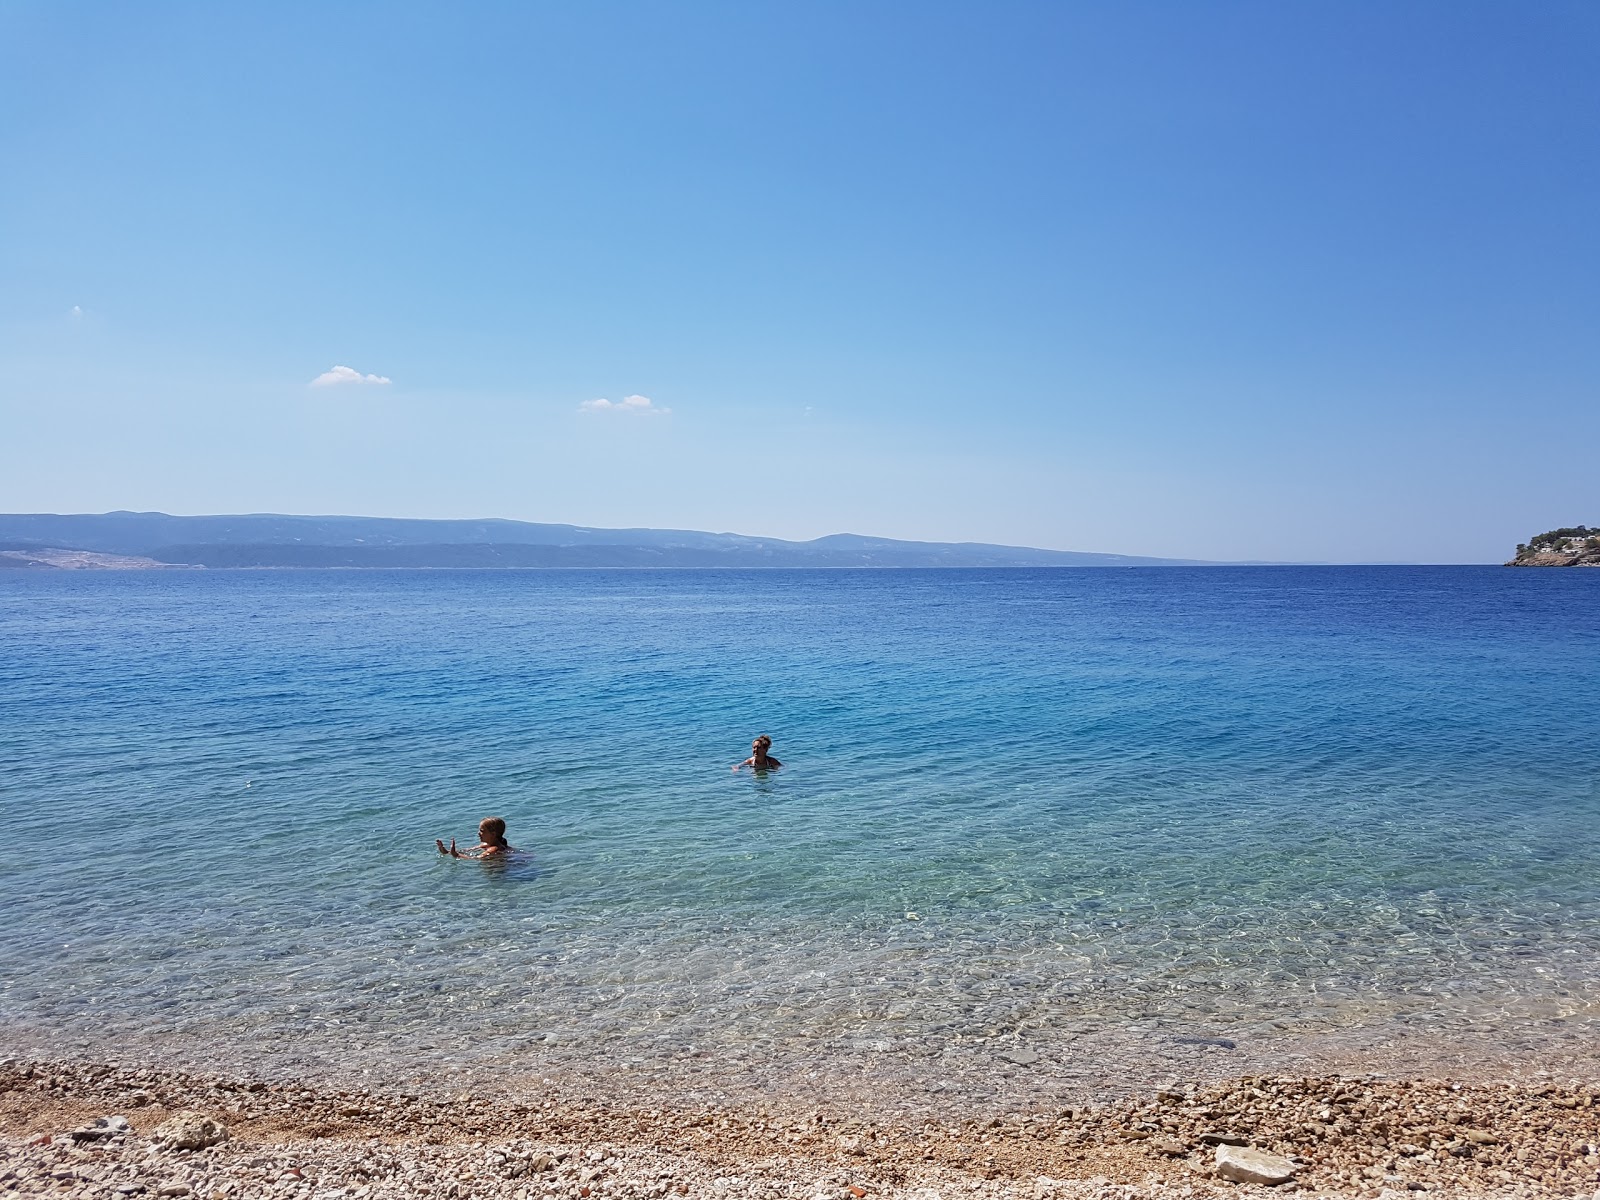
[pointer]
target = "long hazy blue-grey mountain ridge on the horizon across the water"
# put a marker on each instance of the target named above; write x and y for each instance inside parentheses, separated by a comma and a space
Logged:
(130, 540)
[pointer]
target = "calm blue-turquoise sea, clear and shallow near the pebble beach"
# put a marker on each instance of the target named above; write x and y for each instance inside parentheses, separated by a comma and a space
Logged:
(1038, 834)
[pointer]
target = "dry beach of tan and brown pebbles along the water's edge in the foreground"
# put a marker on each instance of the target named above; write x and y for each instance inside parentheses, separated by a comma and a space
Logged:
(106, 1130)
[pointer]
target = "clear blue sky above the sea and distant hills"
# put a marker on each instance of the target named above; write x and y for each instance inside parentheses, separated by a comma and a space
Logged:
(1230, 281)
